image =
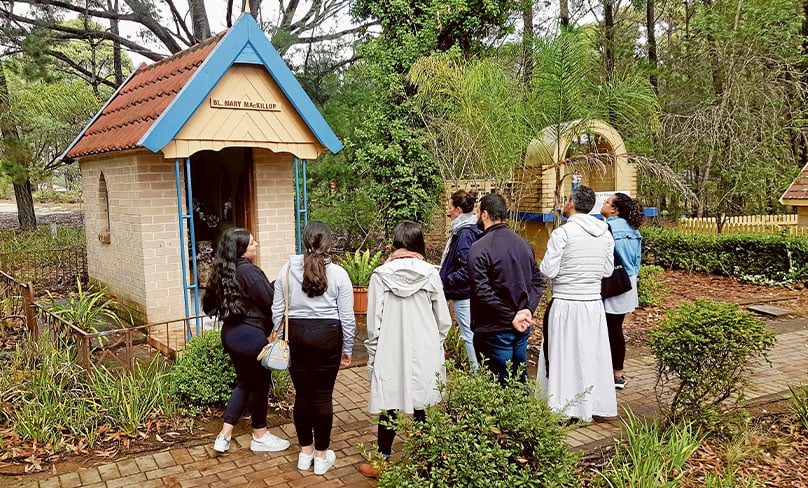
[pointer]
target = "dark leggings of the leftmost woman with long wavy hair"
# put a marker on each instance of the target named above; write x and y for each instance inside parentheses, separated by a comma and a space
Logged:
(243, 343)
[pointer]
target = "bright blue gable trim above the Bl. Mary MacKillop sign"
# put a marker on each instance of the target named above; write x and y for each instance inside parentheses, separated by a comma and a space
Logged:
(244, 43)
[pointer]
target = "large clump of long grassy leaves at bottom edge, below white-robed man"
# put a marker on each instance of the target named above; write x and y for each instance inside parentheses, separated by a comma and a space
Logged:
(650, 455)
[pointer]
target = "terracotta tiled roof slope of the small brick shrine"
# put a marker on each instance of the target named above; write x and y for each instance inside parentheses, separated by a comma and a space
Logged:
(140, 101)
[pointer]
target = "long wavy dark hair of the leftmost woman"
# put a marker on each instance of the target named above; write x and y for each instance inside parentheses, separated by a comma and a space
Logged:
(223, 296)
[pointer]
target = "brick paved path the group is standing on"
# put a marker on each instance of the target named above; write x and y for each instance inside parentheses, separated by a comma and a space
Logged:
(200, 466)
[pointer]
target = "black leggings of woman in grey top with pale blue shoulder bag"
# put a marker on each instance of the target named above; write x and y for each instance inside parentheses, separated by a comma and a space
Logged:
(315, 347)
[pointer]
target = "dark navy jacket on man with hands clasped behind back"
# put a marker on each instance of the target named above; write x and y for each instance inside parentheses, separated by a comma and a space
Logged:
(504, 279)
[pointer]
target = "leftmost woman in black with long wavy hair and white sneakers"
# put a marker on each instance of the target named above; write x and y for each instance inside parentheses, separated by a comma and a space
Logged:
(239, 294)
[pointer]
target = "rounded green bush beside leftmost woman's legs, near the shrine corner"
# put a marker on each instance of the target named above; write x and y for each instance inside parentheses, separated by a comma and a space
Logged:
(203, 375)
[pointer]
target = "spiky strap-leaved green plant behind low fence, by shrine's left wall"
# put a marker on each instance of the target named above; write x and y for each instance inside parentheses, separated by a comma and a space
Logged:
(86, 309)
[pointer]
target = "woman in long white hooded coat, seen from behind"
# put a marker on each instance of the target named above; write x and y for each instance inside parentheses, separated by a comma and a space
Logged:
(407, 321)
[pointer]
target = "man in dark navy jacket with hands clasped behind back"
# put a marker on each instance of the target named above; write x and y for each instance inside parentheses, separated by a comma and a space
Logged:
(506, 286)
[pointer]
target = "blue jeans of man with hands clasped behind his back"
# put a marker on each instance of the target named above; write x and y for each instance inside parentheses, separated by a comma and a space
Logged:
(502, 347)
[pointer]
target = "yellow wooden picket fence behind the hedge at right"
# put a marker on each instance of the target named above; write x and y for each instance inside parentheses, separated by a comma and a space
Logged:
(745, 224)
